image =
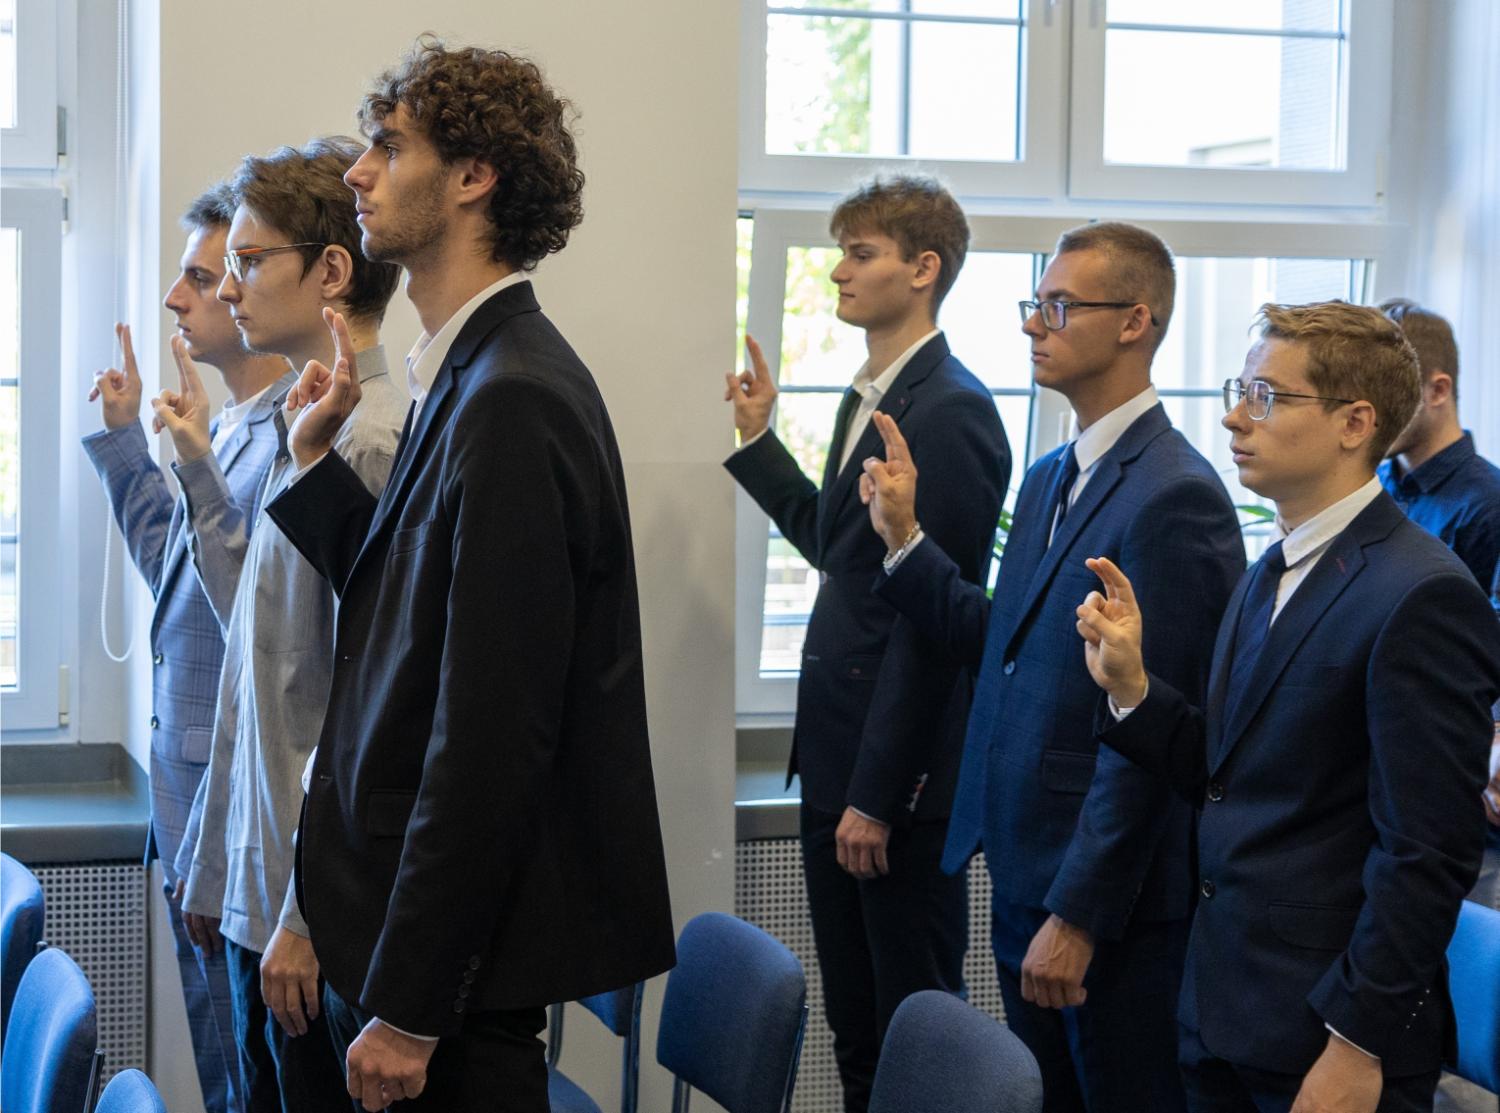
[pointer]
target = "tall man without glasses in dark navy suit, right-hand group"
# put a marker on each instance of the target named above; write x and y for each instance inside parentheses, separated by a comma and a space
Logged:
(880, 710)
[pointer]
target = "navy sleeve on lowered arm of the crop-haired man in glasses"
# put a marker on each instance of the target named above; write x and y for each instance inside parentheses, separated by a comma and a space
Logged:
(1184, 556)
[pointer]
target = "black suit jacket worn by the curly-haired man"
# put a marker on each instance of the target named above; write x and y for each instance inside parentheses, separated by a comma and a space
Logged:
(482, 829)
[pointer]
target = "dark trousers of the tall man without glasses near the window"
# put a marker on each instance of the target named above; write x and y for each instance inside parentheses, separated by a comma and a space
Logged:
(881, 941)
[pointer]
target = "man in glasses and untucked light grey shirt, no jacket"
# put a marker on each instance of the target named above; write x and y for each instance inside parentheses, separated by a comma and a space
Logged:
(293, 257)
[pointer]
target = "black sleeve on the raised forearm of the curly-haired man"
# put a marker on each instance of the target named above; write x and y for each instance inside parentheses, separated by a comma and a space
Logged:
(326, 514)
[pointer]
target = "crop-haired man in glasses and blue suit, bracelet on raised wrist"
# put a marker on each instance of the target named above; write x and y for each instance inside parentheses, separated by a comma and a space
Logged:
(1088, 854)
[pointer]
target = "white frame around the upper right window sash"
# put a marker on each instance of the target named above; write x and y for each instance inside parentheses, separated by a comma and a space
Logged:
(1366, 112)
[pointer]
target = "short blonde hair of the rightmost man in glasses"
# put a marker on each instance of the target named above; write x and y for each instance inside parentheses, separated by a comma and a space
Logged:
(1355, 353)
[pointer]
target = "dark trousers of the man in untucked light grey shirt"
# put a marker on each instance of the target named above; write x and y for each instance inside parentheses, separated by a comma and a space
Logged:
(278, 1073)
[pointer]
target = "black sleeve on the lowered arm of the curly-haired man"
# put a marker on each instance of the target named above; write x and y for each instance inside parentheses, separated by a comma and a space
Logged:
(523, 494)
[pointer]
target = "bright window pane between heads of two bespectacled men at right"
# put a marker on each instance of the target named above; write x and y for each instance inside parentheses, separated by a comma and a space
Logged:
(1217, 302)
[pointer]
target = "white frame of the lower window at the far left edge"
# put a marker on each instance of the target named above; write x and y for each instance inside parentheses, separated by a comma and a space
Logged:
(38, 215)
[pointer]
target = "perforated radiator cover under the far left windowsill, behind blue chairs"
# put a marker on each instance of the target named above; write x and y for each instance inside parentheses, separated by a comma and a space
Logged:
(97, 913)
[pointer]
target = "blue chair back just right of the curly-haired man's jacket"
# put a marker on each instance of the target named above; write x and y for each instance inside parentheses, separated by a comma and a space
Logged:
(734, 1018)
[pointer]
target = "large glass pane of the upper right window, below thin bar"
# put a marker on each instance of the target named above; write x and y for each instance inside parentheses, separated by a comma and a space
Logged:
(1258, 101)
